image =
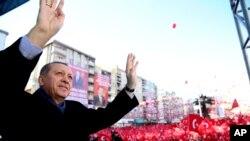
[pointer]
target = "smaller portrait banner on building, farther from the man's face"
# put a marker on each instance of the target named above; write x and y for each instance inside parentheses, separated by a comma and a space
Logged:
(101, 89)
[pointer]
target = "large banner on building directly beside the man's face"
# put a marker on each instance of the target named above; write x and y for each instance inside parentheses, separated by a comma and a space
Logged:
(79, 90)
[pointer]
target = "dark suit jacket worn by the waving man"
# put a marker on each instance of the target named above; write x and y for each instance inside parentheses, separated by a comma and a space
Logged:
(26, 117)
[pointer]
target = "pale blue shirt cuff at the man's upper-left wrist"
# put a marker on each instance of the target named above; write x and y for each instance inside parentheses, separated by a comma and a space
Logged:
(27, 49)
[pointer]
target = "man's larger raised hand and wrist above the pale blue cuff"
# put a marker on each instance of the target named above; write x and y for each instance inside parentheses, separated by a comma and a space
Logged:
(49, 21)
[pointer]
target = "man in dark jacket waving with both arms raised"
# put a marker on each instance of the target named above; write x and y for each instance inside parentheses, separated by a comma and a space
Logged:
(46, 115)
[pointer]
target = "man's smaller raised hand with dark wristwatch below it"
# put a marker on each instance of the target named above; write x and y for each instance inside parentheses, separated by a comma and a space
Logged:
(131, 67)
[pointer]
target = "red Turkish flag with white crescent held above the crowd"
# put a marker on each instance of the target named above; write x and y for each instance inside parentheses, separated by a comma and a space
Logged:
(194, 121)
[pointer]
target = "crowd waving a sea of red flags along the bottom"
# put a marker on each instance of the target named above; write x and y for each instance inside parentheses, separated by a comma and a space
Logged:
(208, 130)
